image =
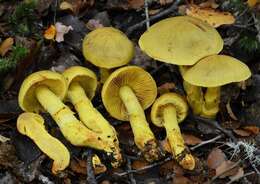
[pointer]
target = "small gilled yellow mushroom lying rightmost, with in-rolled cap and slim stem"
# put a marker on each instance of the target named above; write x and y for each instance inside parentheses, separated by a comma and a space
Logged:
(167, 111)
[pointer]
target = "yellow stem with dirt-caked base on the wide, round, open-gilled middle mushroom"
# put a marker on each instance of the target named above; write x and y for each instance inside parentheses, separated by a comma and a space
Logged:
(143, 136)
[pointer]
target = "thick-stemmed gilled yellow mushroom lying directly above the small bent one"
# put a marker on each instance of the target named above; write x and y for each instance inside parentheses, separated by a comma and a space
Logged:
(44, 91)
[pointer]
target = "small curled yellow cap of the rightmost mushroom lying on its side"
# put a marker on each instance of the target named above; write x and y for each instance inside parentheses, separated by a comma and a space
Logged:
(167, 99)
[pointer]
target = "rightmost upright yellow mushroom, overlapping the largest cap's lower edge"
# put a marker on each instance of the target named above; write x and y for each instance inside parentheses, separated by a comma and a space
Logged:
(213, 72)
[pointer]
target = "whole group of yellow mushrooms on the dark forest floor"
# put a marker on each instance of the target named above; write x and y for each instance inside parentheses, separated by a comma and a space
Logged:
(128, 91)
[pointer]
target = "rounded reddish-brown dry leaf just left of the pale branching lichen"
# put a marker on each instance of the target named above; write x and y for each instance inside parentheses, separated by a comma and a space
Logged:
(215, 158)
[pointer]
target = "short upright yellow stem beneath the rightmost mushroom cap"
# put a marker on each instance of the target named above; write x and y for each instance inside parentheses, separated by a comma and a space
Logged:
(211, 105)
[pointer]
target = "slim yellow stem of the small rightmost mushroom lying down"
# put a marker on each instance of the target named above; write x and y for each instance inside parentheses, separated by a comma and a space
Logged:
(175, 138)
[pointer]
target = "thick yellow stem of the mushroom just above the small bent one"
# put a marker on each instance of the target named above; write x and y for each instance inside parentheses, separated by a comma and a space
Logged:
(70, 126)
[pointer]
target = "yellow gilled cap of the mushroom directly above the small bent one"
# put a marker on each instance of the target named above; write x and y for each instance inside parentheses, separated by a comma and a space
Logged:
(54, 81)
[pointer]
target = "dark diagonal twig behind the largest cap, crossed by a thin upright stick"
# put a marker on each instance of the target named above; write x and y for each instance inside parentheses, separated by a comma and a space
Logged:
(165, 12)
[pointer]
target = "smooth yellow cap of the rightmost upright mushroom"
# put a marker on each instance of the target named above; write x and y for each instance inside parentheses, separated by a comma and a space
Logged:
(217, 70)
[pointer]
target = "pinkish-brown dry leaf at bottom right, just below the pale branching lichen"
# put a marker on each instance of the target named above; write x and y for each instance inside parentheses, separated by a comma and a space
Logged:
(225, 170)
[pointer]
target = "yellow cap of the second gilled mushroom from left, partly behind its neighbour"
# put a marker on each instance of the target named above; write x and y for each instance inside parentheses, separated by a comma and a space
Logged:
(84, 76)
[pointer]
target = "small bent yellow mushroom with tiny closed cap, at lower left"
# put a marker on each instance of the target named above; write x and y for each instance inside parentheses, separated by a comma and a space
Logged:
(32, 125)
